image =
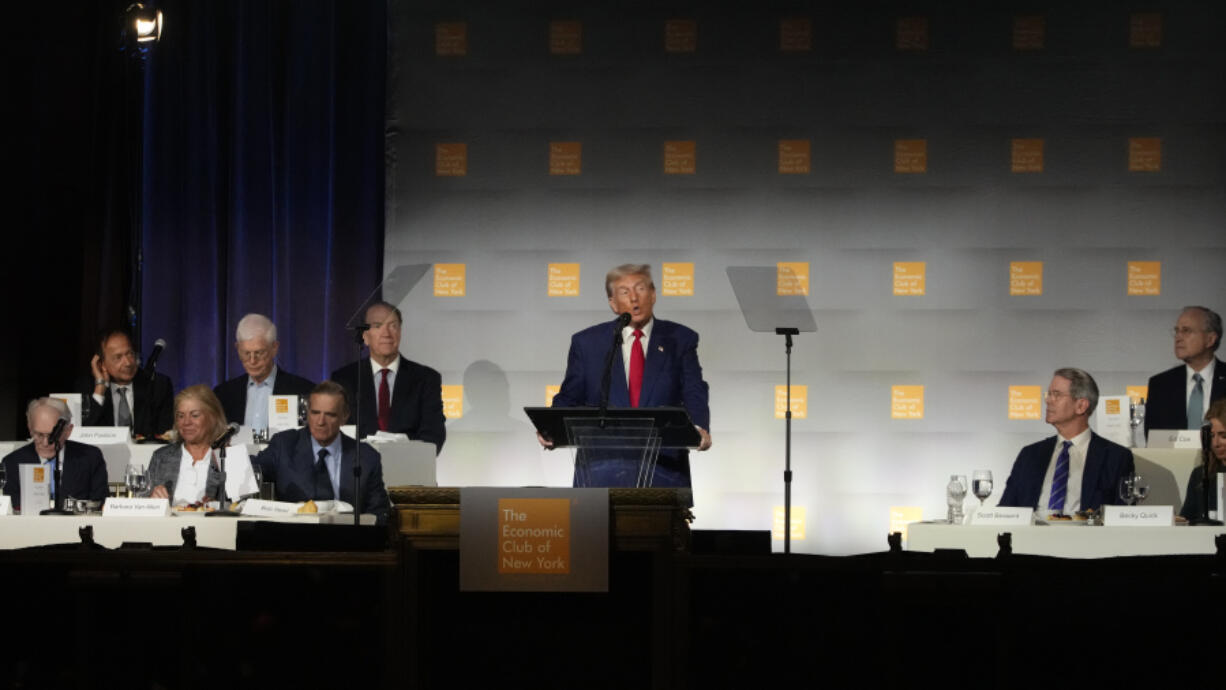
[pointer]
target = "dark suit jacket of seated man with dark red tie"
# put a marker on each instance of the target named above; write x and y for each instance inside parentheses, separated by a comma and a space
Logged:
(416, 401)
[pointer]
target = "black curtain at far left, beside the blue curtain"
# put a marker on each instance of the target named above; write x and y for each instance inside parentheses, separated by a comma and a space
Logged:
(70, 154)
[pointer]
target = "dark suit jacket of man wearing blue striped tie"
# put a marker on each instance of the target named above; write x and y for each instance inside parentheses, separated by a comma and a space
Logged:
(1106, 463)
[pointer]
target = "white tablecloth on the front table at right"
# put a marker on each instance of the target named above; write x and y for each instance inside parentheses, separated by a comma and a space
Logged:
(1066, 541)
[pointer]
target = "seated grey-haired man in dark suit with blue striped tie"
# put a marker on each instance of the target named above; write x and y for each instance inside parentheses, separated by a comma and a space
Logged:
(1079, 472)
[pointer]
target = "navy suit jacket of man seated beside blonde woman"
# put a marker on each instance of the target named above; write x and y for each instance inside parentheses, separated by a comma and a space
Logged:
(291, 465)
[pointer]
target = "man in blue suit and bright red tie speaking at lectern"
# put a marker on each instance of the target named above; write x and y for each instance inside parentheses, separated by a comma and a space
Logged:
(655, 367)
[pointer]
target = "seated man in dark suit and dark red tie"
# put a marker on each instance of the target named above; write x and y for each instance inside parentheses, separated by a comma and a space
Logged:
(398, 395)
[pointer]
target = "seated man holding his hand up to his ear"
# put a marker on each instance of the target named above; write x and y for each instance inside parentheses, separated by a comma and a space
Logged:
(123, 395)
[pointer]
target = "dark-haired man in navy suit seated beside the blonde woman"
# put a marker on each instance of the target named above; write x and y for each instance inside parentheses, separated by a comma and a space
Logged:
(317, 463)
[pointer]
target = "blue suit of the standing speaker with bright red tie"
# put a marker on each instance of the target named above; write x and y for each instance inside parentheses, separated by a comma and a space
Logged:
(671, 377)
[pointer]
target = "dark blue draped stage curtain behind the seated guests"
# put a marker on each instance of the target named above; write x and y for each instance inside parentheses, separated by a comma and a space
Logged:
(263, 181)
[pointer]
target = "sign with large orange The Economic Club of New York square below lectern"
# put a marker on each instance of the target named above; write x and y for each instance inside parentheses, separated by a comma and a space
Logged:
(517, 540)
